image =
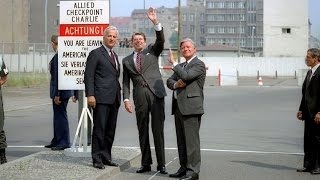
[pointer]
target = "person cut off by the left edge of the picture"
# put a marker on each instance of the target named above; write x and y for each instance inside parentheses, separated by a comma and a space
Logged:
(3, 143)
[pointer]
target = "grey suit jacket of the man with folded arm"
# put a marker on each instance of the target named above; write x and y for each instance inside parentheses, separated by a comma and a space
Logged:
(190, 98)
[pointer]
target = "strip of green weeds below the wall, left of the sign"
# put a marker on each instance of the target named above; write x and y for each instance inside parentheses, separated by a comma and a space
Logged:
(27, 79)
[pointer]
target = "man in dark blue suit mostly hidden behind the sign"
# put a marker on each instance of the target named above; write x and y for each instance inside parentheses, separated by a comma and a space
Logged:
(60, 99)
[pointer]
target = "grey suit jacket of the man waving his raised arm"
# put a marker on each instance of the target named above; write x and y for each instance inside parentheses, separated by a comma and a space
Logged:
(150, 72)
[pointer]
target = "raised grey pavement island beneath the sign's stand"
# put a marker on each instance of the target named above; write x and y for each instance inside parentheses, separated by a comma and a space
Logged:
(56, 165)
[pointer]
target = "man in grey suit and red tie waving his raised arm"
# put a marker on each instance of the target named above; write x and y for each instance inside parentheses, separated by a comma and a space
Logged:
(142, 68)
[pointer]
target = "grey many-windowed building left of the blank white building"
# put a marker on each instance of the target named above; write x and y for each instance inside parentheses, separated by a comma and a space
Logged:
(237, 23)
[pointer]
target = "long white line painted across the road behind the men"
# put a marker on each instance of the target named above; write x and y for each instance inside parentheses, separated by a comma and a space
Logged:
(206, 150)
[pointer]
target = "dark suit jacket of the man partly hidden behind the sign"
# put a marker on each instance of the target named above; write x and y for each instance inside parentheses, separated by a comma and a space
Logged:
(54, 91)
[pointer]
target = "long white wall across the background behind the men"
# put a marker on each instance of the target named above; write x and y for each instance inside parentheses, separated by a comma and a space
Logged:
(245, 66)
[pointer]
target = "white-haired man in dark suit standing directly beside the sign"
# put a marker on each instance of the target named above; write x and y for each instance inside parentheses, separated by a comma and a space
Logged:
(102, 89)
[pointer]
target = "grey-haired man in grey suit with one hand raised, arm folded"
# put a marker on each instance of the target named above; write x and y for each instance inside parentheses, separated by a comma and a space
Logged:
(187, 106)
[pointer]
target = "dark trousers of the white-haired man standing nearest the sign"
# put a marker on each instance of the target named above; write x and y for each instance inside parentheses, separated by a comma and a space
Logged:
(104, 128)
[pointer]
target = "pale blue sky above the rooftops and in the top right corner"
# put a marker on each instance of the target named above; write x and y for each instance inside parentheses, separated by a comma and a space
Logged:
(125, 7)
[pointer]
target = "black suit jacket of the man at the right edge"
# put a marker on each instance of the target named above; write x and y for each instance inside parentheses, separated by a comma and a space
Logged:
(310, 102)
